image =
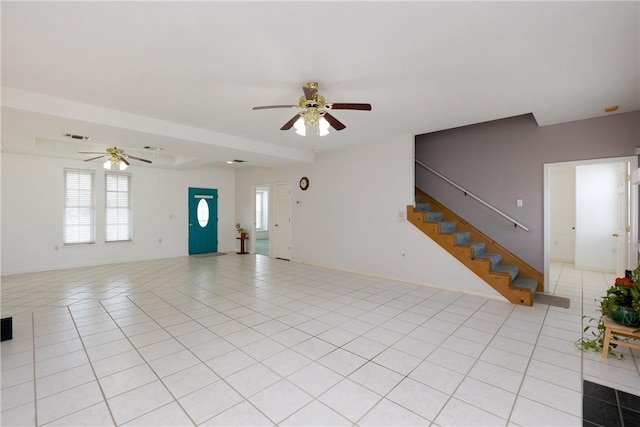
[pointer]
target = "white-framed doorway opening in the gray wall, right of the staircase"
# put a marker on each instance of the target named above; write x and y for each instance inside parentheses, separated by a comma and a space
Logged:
(591, 215)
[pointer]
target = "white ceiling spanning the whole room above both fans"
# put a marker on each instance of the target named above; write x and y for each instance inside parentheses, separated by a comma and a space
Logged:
(184, 75)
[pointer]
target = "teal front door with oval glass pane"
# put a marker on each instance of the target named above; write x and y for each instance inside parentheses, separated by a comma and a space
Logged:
(203, 220)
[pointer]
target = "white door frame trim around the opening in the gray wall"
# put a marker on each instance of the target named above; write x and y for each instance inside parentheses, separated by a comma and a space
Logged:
(633, 220)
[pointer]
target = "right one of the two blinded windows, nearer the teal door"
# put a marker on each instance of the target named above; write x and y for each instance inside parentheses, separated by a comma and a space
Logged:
(118, 207)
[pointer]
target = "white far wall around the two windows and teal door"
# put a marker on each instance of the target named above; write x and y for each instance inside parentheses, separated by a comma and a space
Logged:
(33, 203)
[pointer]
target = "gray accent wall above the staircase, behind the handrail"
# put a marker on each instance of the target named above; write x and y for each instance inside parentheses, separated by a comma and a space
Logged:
(503, 160)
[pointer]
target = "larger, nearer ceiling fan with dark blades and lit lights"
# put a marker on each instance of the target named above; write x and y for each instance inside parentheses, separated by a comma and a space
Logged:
(315, 114)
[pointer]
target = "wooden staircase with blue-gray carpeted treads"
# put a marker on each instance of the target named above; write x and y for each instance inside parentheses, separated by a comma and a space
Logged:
(512, 277)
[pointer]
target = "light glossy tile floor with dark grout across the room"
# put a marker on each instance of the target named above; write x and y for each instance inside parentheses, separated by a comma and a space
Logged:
(249, 340)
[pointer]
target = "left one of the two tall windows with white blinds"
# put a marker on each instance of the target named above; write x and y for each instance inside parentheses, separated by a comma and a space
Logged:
(79, 215)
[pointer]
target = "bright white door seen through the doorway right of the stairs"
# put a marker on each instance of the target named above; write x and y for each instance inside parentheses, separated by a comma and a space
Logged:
(597, 215)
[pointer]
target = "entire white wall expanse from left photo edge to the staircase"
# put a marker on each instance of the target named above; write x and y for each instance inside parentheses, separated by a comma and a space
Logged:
(348, 219)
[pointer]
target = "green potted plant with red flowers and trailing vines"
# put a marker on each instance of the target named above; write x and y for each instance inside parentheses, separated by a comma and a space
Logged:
(621, 303)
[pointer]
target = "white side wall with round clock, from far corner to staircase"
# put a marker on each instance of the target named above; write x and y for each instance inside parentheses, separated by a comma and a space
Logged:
(349, 217)
